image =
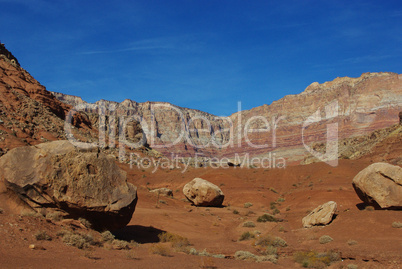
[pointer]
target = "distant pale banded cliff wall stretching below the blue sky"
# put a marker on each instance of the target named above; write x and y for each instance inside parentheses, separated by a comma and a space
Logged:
(288, 127)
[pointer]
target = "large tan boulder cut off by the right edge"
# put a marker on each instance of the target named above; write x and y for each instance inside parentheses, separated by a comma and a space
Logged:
(380, 183)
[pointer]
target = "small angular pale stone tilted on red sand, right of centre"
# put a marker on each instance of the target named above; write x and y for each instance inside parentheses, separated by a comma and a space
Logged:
(322, 215)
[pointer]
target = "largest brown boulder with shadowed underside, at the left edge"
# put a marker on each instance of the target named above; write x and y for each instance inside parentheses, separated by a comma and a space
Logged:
(56, 175)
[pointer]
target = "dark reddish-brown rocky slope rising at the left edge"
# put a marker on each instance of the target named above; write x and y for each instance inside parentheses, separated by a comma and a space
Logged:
(29, 114)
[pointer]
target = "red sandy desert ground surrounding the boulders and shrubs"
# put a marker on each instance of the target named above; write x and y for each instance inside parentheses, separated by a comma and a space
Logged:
(218, 229)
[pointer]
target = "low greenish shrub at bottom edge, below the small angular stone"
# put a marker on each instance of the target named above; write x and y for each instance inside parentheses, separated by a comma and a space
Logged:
(312, 259)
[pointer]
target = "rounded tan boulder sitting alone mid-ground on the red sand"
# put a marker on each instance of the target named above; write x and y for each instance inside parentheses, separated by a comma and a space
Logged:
(203, 193)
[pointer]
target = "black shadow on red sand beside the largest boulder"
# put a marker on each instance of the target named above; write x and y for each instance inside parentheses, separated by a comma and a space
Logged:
(138, 233)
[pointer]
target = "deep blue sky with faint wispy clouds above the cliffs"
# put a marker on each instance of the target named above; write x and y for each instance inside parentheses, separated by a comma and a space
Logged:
(204, 54)
